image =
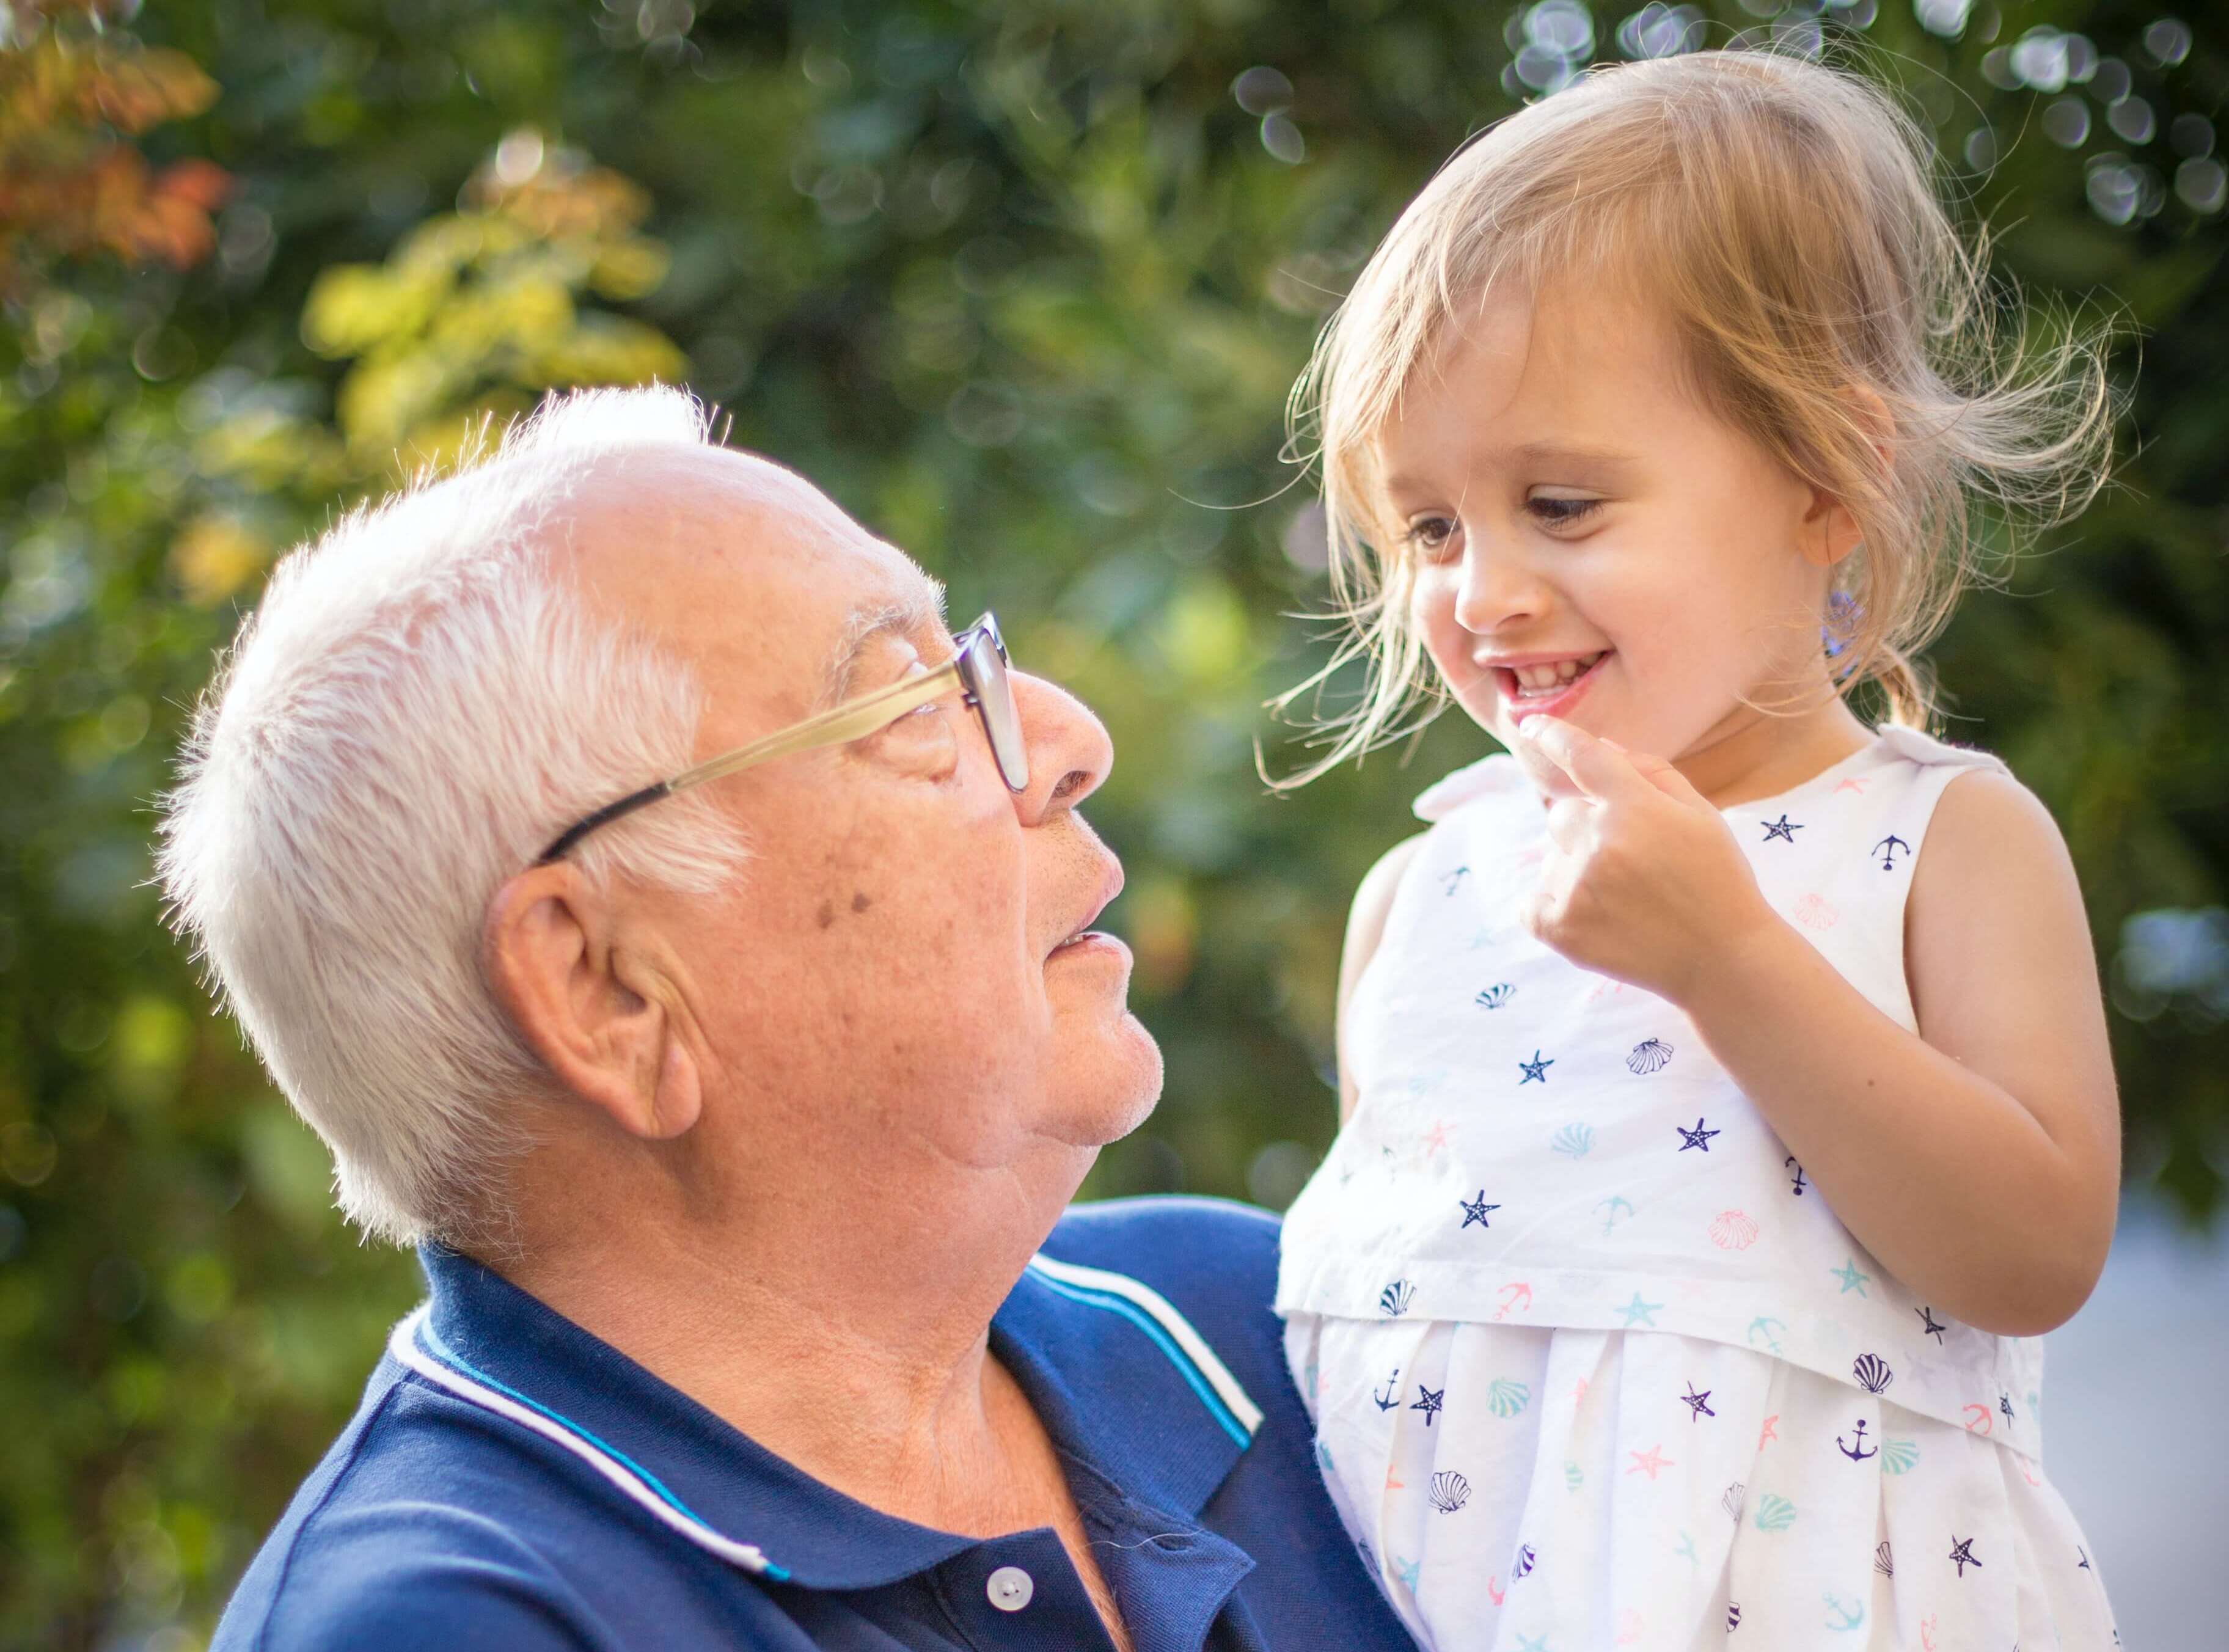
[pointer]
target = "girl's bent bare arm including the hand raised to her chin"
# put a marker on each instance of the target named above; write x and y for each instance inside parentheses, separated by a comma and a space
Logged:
(1980, 1160)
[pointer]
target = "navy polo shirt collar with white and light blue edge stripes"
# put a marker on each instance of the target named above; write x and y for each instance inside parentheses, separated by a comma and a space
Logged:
(1100, 1379)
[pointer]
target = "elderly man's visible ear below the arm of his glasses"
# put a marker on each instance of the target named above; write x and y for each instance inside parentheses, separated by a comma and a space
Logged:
(596, 1013)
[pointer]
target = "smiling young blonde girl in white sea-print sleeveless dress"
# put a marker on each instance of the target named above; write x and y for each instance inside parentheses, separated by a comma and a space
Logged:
(1726, 1082)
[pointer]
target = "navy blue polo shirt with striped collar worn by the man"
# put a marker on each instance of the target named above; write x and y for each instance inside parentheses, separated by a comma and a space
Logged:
(514, 1484)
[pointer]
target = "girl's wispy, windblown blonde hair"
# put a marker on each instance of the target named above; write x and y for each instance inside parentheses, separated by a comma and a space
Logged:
(1782, 217)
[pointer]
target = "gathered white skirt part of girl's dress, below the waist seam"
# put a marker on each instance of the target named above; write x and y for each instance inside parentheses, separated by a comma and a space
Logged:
(1552, 1490)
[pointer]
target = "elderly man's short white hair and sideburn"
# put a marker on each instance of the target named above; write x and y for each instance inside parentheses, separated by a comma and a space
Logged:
(416, 710)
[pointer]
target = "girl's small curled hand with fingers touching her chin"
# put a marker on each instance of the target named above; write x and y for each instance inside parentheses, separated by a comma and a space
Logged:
(1646, 882)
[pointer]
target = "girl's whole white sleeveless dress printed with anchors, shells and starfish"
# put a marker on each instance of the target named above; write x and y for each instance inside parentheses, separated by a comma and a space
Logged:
(1593, 1361)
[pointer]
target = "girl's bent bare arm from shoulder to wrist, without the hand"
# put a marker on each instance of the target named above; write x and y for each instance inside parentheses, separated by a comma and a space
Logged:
(1980, 1160)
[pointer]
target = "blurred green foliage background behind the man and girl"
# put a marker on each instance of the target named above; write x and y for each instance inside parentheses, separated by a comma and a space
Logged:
(1024, 286)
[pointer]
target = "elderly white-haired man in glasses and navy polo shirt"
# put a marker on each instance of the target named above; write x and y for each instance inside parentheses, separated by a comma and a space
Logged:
(685, 942)
